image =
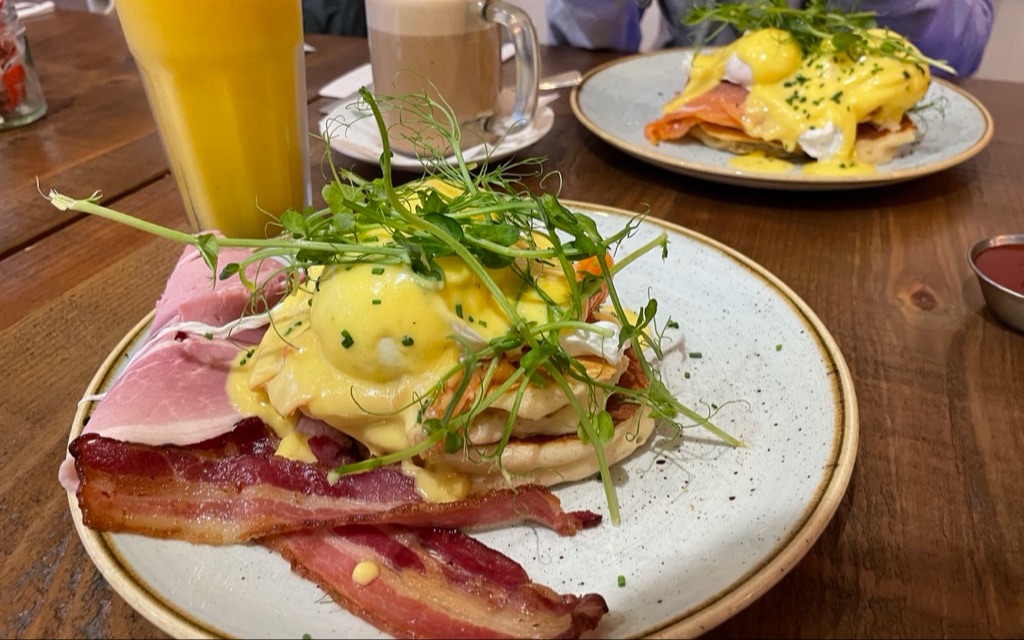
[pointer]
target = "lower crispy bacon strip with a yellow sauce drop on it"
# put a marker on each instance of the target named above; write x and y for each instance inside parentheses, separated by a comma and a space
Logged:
(435, 583)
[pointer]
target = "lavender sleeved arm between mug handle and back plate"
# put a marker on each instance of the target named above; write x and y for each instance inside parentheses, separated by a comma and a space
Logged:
(595, 24)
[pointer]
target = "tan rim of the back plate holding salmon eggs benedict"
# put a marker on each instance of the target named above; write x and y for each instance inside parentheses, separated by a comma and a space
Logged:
(771, 181)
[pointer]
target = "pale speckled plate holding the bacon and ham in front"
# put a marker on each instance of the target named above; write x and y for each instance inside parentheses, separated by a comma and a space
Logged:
(706, 529)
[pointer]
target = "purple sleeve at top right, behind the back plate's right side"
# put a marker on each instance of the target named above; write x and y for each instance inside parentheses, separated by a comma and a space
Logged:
(956, 31)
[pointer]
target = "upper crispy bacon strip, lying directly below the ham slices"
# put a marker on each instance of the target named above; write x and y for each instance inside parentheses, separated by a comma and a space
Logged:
(233, 489)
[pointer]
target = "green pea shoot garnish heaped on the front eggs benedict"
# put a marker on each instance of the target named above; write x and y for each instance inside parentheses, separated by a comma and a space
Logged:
(490, 223)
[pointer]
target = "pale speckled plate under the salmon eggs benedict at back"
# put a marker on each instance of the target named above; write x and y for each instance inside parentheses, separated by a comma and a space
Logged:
(617, 100)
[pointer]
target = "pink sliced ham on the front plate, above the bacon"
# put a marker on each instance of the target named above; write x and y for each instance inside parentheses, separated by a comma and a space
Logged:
(174, 391)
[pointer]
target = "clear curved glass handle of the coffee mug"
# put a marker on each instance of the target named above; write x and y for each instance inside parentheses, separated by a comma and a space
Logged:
(528, 64)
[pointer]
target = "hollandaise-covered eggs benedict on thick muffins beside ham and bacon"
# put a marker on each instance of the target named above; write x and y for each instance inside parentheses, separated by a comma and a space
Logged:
(476, 380)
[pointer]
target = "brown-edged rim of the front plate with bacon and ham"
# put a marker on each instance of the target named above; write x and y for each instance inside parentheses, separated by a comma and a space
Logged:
(761, 577)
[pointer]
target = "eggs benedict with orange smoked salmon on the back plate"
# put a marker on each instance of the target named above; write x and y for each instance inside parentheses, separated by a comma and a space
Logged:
(769, 94)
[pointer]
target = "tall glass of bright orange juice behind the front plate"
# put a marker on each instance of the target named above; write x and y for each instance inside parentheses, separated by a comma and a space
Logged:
(226, 81)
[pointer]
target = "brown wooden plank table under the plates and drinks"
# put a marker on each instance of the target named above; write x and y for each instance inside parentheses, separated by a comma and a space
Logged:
(929, 539)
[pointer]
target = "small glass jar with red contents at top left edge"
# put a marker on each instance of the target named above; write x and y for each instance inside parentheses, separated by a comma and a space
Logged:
(22, 99)
